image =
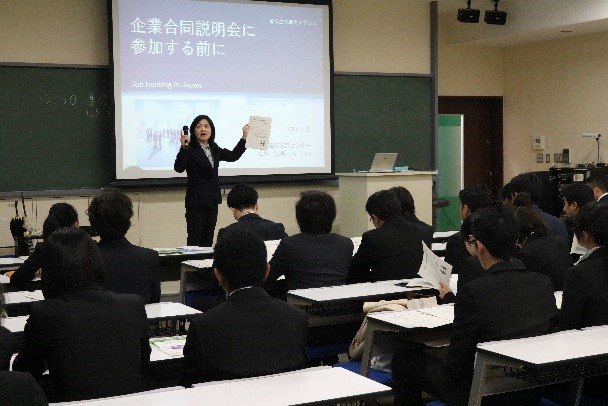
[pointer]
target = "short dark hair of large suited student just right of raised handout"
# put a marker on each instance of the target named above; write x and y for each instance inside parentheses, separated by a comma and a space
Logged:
(495, 225)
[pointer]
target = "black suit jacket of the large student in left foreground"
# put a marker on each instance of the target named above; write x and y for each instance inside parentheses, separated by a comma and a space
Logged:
(94, 343)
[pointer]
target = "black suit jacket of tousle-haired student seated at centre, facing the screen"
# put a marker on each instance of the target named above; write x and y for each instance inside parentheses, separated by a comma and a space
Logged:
(312, 260)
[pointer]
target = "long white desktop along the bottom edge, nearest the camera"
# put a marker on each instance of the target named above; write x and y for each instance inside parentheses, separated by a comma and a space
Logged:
(304, 387)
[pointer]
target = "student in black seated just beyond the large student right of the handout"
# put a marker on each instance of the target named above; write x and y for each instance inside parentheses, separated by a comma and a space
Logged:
(547, 254)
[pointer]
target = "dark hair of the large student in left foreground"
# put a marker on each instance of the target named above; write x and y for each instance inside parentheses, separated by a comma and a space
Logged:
(71, 261)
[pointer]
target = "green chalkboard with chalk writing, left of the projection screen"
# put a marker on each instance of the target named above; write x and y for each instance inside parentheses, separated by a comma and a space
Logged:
(55, 128)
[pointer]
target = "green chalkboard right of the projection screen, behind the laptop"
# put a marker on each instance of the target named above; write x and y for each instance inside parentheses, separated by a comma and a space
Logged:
(375, 113)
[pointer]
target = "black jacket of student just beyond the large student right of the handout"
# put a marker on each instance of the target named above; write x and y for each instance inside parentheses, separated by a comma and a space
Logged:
(548, 255)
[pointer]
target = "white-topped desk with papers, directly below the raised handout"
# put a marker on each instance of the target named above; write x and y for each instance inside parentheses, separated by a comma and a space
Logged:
(418, 323)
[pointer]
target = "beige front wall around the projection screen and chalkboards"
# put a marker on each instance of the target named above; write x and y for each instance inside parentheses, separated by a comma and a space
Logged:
(386, 36)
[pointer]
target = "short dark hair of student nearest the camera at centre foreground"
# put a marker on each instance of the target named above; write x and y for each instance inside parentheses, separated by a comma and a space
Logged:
(240, 256)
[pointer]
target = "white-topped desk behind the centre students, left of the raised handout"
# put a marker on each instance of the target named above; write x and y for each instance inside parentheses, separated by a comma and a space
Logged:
(344, 303)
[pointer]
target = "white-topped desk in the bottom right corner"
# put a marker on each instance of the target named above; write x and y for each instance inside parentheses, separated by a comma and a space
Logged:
(537, 361)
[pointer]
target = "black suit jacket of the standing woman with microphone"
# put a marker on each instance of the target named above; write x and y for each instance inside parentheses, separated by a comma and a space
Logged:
(203, 184)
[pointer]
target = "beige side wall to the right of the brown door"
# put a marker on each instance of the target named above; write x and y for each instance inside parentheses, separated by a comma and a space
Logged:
(557, 89)
